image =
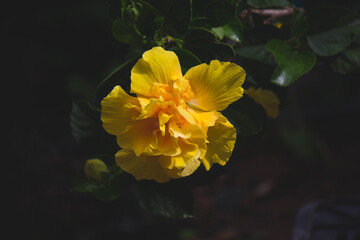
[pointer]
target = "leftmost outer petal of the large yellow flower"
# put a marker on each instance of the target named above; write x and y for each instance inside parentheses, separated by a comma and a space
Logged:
(118, 110)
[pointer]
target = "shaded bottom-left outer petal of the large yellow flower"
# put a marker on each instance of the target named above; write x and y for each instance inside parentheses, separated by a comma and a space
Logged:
(141, 167)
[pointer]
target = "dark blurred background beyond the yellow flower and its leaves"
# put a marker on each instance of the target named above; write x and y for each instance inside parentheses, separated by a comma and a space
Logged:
(58, 52)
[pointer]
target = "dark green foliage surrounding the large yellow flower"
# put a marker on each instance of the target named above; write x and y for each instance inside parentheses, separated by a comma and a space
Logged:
(199, 31)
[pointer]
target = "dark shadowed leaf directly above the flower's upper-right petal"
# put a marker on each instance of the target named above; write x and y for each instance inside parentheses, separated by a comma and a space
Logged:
(204, 43)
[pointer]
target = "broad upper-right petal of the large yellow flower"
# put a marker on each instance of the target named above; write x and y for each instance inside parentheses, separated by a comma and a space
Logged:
(216, 85)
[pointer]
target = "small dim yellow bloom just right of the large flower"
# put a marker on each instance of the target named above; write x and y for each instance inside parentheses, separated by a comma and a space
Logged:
(267, 99)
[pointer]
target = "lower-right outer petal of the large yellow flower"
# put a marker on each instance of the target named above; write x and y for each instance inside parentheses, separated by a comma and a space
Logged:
(221, 139)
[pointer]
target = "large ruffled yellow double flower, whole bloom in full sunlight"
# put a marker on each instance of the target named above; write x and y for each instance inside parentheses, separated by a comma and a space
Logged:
(174, 123)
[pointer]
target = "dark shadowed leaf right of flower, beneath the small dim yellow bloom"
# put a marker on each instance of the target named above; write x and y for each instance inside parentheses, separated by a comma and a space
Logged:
(245, 115)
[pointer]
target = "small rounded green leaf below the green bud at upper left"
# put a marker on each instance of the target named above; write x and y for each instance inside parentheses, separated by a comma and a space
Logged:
(123, 31)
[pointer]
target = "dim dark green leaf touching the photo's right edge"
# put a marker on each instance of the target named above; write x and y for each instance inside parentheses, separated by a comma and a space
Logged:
(333, 41)
